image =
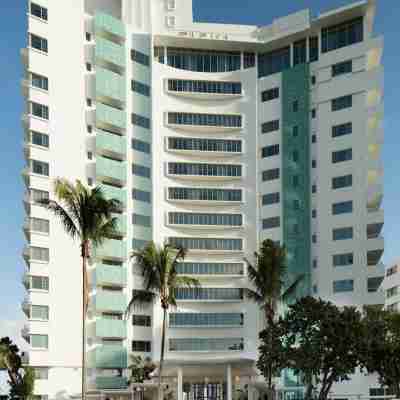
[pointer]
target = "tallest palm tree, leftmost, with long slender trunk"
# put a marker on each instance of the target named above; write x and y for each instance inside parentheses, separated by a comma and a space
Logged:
(86, 215)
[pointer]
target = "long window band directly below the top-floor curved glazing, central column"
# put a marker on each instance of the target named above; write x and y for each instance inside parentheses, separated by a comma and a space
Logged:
(212, 87)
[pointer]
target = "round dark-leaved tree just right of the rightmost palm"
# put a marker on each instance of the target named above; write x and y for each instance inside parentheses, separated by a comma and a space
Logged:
(320, 342)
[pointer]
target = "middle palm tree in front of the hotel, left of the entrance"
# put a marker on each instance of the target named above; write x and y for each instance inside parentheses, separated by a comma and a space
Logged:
(161, 280)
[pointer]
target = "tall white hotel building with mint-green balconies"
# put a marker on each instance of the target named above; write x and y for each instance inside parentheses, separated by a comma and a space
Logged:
(214, 137)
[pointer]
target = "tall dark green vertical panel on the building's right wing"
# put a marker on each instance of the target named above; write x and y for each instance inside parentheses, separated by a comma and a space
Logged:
(296, 175)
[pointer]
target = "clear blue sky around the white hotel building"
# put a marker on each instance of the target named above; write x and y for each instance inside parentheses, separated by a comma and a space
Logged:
(257, 12)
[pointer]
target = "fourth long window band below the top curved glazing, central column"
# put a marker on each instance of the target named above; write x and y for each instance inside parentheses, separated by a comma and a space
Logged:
(205, 169)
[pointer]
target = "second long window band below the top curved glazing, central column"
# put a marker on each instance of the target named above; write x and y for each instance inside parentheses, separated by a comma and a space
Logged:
(222, 120)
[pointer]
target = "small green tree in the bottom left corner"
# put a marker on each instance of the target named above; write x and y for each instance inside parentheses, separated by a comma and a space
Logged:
(21, 378)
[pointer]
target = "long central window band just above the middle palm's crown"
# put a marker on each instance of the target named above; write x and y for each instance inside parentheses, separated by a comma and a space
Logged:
(210, 244)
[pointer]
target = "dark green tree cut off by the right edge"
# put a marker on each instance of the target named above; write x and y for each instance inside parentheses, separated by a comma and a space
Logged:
(381, 353)
